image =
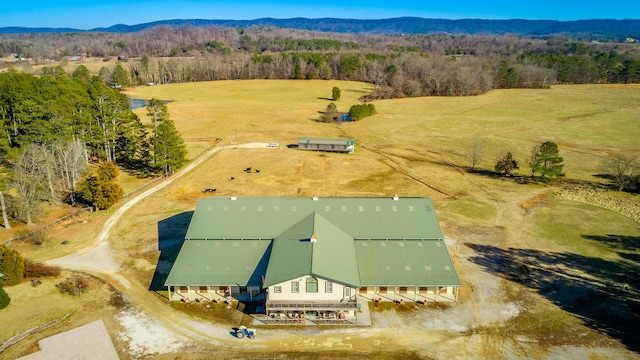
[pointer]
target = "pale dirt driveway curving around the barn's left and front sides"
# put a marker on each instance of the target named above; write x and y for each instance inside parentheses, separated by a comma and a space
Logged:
(477, 327)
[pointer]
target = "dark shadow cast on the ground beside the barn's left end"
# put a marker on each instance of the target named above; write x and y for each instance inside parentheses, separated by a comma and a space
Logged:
(171, 233)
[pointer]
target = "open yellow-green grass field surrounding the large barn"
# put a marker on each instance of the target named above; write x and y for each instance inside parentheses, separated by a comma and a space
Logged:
(561, 264)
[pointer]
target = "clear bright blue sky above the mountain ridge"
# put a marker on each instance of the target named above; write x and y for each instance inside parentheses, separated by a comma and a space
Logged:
(87, 14)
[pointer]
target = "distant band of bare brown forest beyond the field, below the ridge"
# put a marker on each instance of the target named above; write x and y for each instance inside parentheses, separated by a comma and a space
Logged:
(398, 66)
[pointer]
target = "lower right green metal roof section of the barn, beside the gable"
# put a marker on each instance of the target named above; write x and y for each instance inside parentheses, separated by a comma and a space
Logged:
(405, 263)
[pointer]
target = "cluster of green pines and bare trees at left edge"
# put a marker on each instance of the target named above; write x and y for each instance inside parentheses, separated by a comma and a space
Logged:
(52, 127)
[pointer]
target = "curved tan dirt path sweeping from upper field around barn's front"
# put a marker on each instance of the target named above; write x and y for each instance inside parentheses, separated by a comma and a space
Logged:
(434, 334)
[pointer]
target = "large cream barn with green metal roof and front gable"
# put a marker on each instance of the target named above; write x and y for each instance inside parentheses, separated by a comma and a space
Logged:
(313, 256)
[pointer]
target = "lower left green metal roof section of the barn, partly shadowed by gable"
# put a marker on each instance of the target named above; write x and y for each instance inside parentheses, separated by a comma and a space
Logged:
(220, 262)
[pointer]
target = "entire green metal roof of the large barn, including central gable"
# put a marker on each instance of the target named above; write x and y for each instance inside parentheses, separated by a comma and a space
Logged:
(341, 226)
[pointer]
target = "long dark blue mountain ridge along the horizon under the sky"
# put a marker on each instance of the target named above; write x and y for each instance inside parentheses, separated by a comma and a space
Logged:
(393, 26)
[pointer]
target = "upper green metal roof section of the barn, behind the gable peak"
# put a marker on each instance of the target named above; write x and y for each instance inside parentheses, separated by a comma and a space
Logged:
(268, 217)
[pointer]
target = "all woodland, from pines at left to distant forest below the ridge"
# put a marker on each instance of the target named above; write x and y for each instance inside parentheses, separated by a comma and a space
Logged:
(53, 124)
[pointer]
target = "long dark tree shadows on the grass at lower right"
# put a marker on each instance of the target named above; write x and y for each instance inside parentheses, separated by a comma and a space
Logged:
(604, 294)
